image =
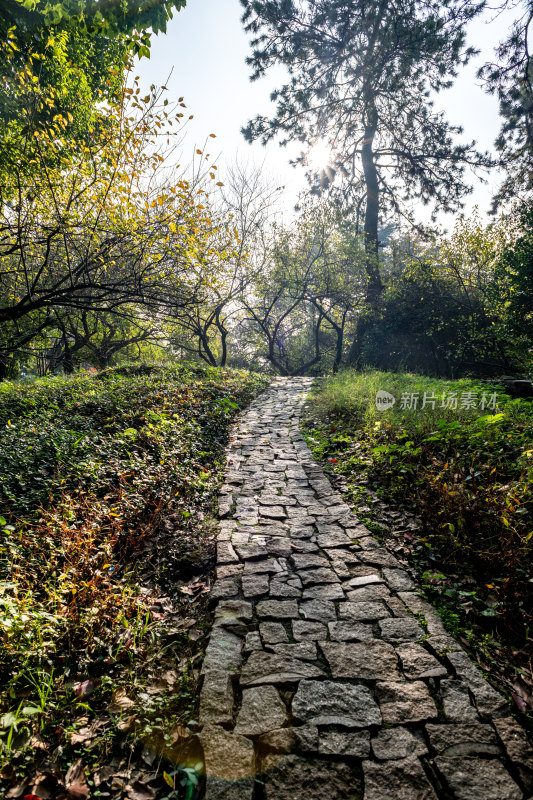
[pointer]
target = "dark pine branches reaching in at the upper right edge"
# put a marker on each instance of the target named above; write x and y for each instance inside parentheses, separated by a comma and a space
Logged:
(511, 80)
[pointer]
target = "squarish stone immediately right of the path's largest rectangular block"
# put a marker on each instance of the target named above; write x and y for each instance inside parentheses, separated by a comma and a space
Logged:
(402, 702)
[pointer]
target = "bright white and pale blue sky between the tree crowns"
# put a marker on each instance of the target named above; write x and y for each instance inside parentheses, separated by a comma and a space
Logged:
(204, 52)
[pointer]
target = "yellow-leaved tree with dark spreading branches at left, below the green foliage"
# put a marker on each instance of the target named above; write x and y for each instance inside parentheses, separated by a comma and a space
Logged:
(101, 228)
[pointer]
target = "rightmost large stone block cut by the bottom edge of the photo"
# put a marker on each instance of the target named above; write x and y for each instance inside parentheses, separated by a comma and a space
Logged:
(475, 778)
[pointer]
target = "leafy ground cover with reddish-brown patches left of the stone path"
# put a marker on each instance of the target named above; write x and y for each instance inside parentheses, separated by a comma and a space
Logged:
(102, 622)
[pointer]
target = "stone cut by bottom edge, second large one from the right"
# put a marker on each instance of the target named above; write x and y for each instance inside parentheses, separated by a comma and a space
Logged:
(401, 780)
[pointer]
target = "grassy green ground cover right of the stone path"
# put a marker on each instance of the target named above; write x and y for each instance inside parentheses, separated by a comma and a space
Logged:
(465, 469)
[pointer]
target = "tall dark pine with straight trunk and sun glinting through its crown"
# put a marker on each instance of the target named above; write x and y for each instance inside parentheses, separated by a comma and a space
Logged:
(361, 73)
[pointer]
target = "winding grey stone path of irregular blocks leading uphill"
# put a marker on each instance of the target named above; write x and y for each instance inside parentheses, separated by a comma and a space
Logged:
(326, 675)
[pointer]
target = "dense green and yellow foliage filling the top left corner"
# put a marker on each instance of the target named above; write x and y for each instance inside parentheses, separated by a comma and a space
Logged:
(59, 61)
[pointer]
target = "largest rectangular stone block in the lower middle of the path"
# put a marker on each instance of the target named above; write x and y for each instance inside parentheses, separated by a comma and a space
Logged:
(332, 703)
